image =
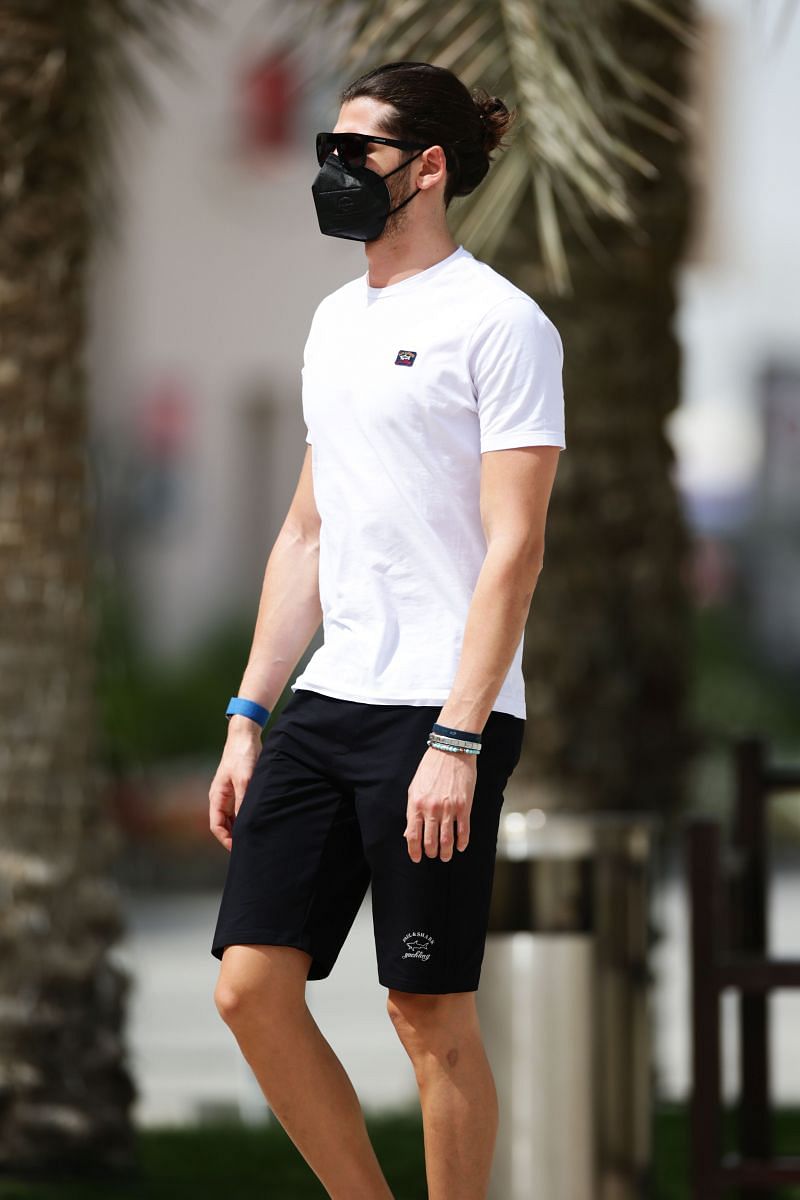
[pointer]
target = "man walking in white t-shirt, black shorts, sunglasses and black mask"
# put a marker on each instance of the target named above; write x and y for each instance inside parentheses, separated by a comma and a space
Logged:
(435, 412)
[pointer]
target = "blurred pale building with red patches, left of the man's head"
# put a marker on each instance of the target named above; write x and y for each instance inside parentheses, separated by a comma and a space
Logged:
(202, 307)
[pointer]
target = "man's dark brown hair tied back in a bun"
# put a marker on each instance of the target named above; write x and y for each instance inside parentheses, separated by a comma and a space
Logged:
(432, 105)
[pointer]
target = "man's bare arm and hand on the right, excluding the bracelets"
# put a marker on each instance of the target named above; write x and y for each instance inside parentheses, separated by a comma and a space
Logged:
(516, 487)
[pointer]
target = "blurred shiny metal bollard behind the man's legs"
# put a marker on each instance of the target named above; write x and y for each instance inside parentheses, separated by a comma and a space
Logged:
(564, 1009)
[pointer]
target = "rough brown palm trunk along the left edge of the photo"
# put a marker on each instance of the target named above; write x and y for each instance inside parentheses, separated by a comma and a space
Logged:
(65, 1090)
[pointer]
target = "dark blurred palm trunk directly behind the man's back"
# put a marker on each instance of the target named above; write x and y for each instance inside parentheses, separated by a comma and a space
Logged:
(607, 647)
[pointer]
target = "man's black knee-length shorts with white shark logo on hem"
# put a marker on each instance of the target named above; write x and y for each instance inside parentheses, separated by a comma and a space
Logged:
(324, 818)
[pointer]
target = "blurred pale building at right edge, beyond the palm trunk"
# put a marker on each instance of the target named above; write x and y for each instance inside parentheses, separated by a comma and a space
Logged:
(738, 430)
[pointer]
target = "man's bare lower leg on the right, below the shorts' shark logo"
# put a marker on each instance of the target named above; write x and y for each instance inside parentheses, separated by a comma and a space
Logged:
(460, 1102)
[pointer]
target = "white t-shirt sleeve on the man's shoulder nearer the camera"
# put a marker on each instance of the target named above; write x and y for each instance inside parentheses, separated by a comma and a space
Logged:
(515, 361)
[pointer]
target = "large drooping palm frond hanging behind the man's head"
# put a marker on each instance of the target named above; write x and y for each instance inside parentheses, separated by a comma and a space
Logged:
(552, 61)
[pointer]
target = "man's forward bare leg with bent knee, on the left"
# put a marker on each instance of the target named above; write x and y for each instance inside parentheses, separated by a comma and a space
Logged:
(261, 995)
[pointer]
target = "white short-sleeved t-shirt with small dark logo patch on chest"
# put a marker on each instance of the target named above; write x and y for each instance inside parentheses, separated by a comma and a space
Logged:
(404, 388)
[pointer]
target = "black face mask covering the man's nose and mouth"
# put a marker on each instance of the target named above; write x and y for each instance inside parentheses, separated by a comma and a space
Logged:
(354, 202)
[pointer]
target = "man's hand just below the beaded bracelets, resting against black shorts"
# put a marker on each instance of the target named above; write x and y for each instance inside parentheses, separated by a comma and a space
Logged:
(441, 793)
